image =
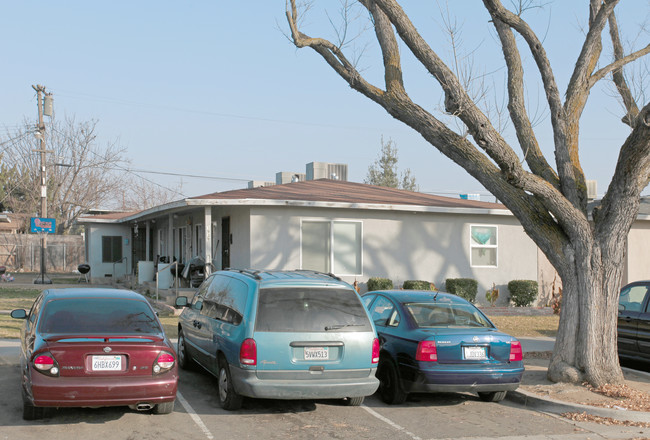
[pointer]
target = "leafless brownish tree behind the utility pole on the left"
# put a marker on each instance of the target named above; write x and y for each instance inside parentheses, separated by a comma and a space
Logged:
(80, 174)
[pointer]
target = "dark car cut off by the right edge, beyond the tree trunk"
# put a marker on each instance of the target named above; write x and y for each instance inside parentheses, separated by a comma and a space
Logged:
(634, 321)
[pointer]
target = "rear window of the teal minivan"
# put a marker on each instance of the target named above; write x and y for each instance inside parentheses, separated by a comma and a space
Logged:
(297, 309)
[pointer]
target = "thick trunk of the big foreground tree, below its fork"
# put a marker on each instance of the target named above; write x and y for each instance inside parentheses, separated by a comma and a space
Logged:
(585, 348)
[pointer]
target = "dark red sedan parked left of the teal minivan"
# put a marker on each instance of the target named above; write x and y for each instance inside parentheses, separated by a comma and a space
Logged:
(92, 348)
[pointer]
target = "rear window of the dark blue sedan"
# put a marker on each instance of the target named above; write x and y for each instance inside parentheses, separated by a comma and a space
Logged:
(446, 315)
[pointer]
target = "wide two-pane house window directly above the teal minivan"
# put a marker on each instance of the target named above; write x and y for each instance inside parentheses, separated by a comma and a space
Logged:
(332, 246)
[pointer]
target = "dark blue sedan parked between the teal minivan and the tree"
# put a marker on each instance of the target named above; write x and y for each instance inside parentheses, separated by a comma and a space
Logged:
(439, 342)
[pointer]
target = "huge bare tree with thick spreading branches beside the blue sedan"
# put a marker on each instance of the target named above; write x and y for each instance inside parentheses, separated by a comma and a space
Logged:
(550, 202)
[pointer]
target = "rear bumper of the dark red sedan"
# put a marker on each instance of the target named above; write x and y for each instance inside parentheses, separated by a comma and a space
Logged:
(96, 392)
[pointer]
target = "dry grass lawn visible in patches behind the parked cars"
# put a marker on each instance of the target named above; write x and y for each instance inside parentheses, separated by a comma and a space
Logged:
(16, 298)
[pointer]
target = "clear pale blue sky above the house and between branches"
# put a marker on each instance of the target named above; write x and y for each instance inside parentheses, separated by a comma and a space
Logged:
(214, 88)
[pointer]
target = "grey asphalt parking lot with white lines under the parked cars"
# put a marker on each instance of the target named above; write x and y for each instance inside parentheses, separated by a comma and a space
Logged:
(197, 415)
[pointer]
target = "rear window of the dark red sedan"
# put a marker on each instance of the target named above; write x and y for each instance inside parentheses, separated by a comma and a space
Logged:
(98, 316)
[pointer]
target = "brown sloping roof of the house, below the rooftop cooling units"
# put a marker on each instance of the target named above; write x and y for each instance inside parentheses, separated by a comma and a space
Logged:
(326, 190)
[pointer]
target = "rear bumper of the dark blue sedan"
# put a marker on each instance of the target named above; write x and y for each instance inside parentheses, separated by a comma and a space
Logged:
(465, 381)
